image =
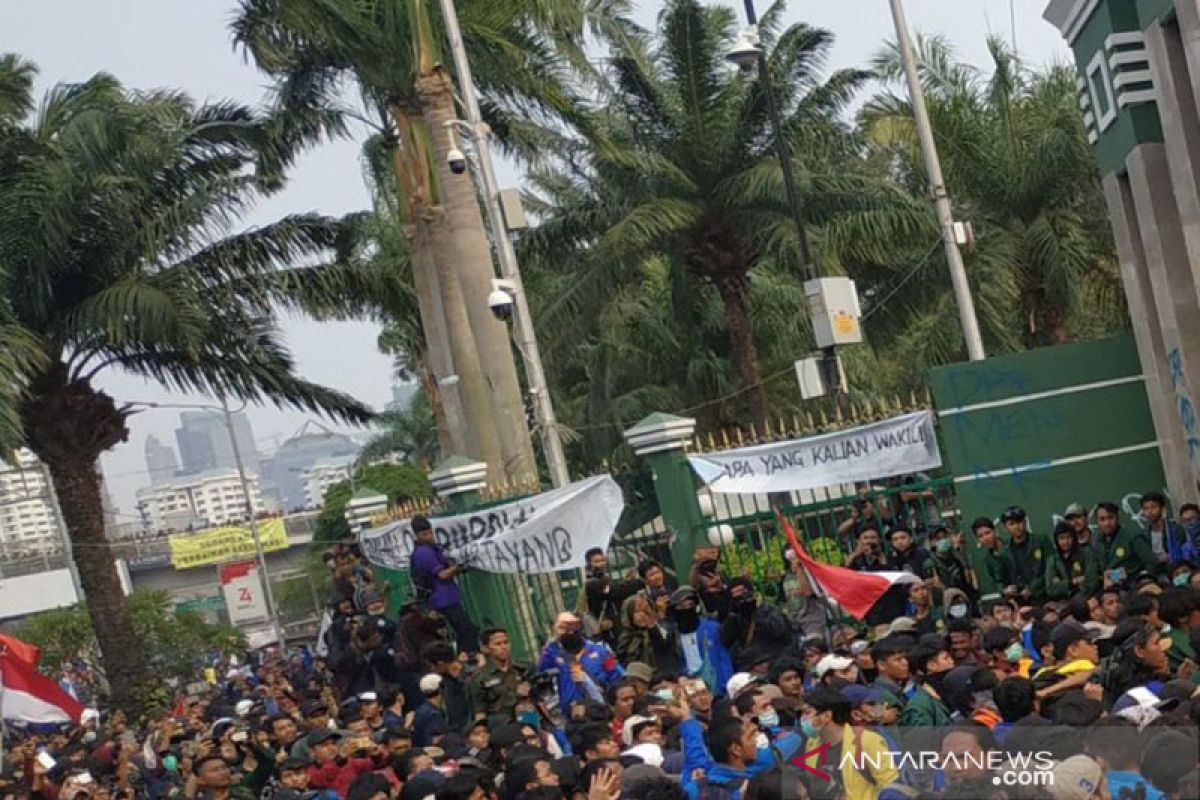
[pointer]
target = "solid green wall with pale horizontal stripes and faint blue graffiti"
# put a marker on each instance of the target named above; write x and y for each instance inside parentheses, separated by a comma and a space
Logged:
(1046, 453)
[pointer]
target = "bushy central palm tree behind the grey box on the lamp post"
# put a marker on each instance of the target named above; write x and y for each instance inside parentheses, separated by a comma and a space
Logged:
(681, 190)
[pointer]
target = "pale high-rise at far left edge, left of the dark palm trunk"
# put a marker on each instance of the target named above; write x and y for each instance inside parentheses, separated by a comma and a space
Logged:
(29, 524)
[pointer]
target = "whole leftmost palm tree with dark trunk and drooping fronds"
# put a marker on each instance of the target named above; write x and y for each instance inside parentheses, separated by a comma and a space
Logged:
(117, 252)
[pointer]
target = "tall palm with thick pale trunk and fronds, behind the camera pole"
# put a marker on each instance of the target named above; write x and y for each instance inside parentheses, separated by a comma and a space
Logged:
(392, 51)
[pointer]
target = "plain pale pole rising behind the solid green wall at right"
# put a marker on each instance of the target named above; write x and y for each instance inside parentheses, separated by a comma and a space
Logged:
(968, 318)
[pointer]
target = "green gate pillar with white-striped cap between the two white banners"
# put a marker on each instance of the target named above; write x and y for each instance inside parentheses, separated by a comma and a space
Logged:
(661, 440)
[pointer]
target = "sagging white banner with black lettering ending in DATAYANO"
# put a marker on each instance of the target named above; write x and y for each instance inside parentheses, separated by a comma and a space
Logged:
(547, 533)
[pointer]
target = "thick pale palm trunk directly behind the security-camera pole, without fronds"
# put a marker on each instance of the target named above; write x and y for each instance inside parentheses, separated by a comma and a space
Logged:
(470, 250)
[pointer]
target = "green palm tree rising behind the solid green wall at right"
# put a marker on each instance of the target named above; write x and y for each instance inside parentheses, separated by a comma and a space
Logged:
(1021, 170)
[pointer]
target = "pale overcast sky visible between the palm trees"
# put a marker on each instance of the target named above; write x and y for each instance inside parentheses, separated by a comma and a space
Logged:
(185, 44)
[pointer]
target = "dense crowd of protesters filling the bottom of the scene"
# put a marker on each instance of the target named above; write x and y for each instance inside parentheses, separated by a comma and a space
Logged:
(1063, 667)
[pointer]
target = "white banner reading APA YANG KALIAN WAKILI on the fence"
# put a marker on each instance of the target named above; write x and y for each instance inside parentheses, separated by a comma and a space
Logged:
(897, 447)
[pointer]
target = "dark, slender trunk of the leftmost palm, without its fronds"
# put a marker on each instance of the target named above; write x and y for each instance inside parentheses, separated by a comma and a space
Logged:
(69, 425)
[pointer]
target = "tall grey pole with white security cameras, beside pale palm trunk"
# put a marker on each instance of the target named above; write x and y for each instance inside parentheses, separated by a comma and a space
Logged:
(526, 338)
